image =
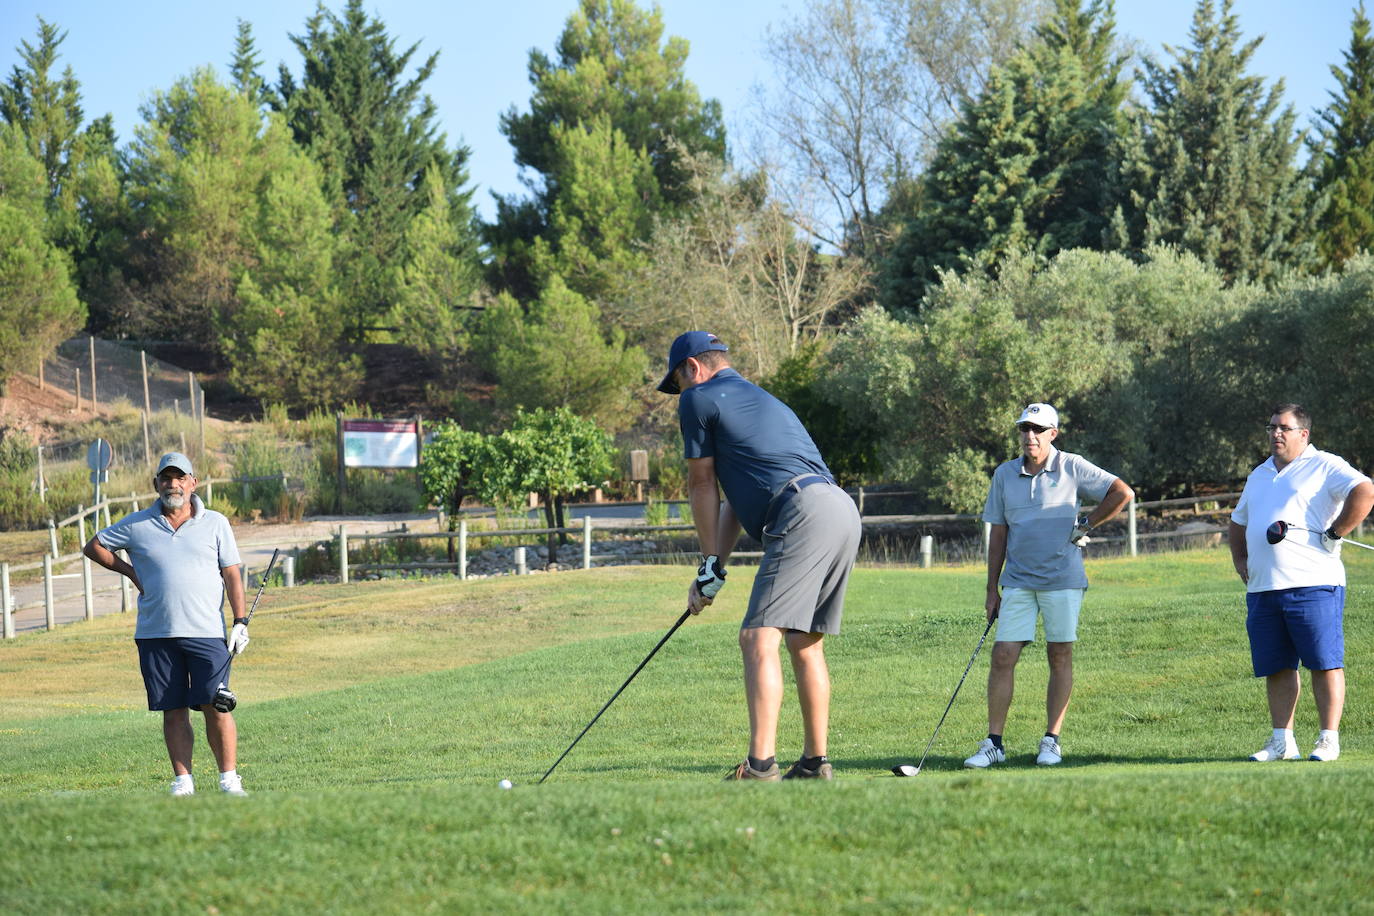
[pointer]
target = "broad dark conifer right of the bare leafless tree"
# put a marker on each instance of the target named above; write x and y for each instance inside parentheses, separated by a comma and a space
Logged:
(1027, 164)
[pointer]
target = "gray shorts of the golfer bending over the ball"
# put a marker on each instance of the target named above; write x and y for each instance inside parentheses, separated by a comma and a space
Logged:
(810, 549)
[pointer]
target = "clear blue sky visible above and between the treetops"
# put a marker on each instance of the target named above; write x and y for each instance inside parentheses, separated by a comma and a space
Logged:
(124, 51)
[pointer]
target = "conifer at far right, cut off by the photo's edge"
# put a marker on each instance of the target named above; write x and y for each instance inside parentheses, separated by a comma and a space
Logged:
(1344, 152)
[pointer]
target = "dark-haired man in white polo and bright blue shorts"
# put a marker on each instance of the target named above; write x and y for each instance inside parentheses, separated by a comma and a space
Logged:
(1295, 591)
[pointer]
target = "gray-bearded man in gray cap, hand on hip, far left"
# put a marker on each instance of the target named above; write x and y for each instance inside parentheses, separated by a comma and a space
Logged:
(185, 562)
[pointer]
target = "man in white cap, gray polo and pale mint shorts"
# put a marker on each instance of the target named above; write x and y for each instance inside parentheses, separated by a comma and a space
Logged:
(1035, 556)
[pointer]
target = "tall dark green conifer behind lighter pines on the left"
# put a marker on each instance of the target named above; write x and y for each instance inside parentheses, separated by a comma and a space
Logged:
(374, 134)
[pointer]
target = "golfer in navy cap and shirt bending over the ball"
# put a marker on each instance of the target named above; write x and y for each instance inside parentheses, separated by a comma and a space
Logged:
(780, 490)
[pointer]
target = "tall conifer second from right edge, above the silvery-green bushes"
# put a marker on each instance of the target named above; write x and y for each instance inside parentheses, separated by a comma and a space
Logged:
(1213, 165)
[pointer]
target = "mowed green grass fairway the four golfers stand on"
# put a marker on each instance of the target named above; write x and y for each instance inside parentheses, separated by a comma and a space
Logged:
(377, 719)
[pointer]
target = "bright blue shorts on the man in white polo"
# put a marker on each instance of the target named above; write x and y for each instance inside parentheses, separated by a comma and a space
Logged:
(1292, 626)
